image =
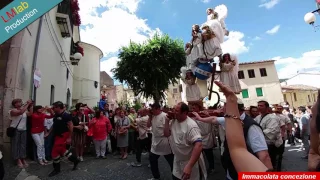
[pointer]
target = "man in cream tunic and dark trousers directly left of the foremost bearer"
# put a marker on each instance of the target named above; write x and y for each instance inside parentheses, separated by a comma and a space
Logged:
(160, 144)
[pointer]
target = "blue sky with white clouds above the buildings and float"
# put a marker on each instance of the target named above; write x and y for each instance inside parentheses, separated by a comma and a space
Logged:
(259, 29)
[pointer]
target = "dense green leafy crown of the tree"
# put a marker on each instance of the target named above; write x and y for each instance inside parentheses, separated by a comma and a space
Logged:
(150, 67)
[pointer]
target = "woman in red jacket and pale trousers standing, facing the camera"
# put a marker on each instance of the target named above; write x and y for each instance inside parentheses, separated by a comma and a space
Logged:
(101, 128)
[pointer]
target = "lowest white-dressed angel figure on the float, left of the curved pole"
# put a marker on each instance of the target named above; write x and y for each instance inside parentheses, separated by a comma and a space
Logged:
(193, 93)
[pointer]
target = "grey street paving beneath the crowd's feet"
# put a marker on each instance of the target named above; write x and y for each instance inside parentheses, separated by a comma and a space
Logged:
(113, 168)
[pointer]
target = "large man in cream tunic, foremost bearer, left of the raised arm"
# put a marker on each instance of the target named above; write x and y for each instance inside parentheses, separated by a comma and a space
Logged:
(185, 133)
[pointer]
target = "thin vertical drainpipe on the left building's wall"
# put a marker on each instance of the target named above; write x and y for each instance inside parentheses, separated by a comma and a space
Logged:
(33, 92)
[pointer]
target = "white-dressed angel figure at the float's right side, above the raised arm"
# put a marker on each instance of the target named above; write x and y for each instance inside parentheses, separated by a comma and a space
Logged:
(229, 67)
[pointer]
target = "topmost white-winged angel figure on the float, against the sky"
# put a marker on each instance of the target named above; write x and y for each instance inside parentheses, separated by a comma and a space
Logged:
(219, 13)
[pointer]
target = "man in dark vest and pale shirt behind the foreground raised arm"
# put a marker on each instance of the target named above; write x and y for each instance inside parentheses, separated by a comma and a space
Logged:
(254, 137)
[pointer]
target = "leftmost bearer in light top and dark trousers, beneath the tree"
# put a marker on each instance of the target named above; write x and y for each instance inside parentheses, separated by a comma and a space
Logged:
(142, 140)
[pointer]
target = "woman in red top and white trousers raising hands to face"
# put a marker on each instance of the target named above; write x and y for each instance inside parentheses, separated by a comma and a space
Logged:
(37, 130)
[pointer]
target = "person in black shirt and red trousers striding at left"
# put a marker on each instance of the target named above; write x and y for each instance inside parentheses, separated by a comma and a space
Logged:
(62, 131)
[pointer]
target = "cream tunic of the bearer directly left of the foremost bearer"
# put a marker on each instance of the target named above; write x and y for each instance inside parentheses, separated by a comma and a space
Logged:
(160, 143)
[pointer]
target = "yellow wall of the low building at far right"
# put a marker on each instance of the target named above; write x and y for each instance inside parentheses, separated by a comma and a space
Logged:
(301, 98)
